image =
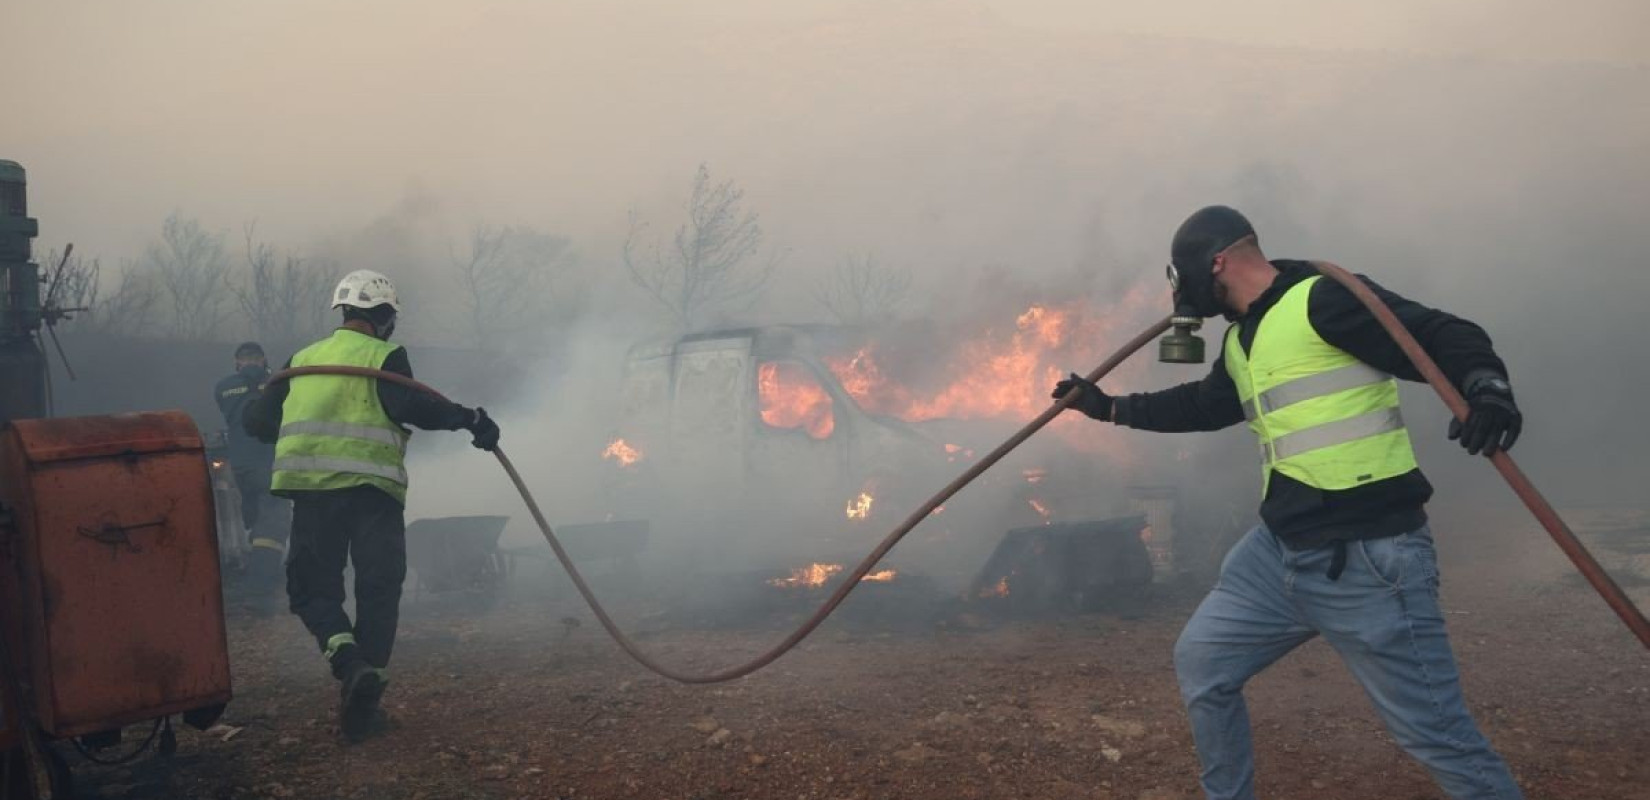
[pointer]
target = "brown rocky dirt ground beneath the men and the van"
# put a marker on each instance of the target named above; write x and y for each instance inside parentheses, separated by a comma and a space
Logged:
(519, 704)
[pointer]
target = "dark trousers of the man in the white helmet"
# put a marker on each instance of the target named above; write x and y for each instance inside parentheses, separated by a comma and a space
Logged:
(362, 527)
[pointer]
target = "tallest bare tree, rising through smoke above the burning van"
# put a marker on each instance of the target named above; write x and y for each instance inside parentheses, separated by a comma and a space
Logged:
(710, 261)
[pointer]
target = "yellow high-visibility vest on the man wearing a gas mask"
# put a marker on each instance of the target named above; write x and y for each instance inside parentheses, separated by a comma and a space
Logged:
(1322, 416)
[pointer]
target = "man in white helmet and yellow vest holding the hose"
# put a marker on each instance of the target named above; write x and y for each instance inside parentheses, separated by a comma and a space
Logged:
(341, 443)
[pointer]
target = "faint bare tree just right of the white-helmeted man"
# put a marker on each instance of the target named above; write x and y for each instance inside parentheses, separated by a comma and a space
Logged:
(516, 285)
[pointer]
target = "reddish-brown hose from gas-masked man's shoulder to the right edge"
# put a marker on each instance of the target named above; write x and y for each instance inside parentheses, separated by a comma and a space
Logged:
(1544, 512)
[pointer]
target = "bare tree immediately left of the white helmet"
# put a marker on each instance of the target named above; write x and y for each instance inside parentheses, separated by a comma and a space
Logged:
(285, 296)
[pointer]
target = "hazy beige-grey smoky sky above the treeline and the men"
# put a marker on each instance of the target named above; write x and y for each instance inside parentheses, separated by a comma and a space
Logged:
(1484, 156)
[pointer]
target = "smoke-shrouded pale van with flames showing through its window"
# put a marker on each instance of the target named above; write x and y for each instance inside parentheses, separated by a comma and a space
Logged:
(753, 423)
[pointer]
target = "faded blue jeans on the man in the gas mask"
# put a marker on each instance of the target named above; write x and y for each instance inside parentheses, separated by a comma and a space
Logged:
(1382, 616)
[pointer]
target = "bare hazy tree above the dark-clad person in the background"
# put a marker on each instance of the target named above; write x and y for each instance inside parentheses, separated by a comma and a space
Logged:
(194, 276)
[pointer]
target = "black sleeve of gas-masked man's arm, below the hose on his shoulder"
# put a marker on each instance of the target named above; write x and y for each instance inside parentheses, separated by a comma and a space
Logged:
(1459, 347)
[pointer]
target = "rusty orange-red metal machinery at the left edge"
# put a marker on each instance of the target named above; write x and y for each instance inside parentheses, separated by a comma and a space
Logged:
(111, 609)
